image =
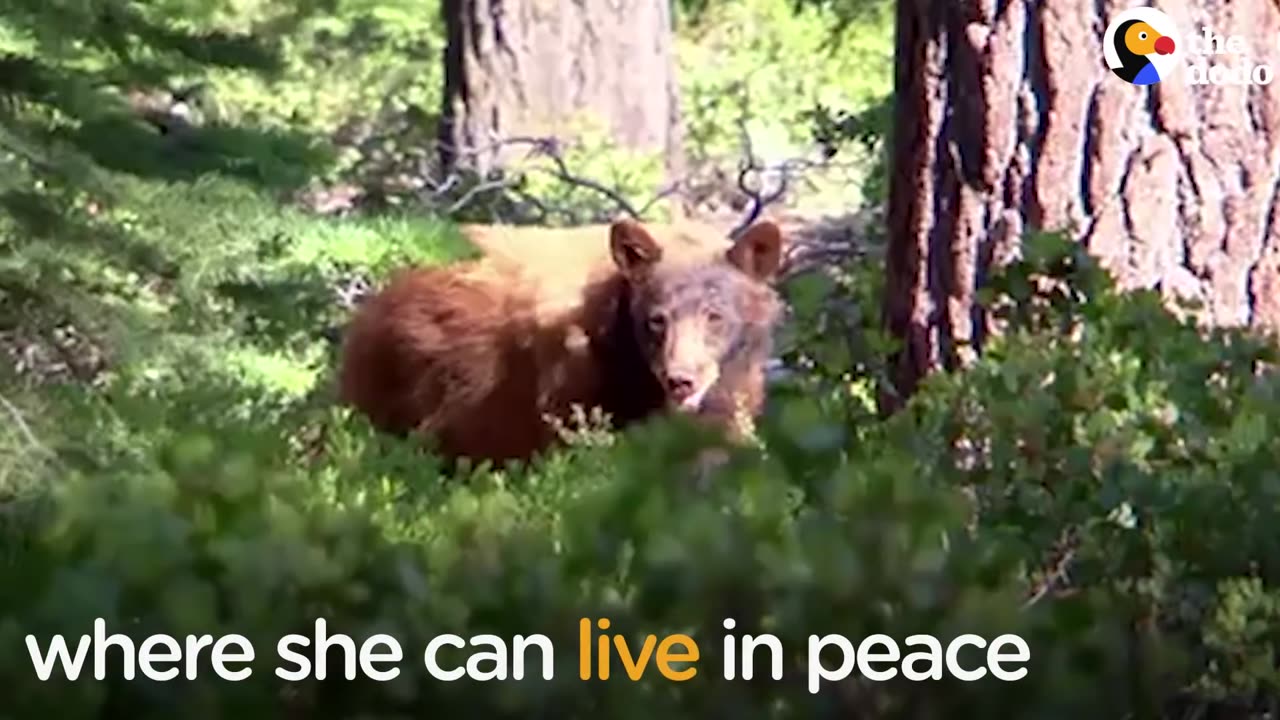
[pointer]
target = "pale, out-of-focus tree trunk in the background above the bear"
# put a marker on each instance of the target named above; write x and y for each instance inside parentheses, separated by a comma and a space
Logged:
(540, 67)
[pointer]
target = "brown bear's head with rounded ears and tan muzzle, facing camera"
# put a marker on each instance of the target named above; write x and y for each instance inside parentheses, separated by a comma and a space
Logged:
(702, 326)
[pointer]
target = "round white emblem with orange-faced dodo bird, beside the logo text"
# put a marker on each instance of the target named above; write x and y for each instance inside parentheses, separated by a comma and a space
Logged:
(1141, 47)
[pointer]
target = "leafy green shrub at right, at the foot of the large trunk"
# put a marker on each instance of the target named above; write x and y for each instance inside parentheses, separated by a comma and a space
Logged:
(1122, 450)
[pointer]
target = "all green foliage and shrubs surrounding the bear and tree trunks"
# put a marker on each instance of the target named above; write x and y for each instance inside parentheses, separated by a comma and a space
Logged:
(1103, 482)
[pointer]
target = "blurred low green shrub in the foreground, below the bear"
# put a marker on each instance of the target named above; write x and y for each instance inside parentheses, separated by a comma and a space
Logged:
(209, 527)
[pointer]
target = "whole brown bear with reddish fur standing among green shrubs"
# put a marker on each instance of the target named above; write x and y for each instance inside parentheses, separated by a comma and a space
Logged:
(482, 357)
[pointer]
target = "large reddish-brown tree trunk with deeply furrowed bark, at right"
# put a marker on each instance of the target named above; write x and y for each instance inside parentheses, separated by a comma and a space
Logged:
(1008, 120)
